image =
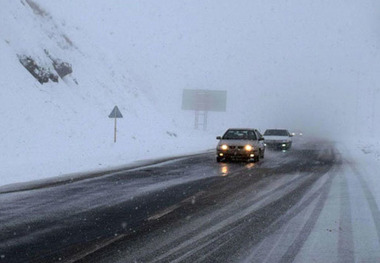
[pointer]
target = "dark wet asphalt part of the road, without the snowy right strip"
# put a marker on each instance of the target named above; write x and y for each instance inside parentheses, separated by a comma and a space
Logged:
(185, 210)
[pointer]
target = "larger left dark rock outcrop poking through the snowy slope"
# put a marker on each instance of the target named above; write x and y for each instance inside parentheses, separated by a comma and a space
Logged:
(42, 74)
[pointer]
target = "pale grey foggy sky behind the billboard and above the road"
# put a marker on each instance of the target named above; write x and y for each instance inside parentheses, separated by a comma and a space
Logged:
(309, 65)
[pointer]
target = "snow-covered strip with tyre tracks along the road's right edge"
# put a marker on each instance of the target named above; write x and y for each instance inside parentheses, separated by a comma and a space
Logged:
(348, 229)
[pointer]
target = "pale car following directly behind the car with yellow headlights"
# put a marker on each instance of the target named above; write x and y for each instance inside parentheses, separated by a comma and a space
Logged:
(278, 139)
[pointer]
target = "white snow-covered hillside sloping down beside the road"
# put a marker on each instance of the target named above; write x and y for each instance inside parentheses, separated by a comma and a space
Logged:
(54, 128)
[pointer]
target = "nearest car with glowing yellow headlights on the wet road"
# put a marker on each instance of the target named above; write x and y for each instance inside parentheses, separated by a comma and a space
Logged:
(240, 144)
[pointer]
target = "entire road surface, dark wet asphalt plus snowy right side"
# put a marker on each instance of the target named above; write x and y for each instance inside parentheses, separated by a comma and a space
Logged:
(315, 203)
